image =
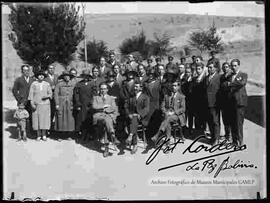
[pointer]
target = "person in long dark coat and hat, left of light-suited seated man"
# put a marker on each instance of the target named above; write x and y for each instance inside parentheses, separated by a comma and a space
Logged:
(82, 103)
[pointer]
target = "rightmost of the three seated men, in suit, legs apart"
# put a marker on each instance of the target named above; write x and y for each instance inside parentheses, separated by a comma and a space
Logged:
(173, 107)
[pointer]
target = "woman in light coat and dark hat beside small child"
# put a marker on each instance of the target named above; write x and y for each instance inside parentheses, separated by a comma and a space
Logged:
(39, 95)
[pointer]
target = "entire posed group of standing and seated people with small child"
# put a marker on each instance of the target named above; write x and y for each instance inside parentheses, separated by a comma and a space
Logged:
(112, 101)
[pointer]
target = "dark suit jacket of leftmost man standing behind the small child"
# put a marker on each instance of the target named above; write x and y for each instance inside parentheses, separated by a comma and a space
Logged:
(21, 89)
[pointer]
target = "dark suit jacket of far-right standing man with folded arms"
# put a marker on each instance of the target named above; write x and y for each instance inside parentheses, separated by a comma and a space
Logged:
(238, 93)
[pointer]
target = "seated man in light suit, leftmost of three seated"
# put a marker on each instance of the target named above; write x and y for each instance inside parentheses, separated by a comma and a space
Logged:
(105, 115)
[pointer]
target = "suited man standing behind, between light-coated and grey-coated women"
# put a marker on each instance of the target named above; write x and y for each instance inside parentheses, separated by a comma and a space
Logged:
(52, 79)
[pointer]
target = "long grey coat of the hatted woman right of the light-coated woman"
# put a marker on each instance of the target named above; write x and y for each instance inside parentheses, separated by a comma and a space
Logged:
(63, 95)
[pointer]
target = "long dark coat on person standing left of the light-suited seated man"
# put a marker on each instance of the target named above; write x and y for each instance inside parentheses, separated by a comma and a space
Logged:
(83, 95)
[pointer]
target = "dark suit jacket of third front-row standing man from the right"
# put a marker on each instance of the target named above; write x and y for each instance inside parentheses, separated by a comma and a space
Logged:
(212, 90)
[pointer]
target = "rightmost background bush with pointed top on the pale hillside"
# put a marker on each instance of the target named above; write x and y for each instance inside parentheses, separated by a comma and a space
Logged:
(206, 40)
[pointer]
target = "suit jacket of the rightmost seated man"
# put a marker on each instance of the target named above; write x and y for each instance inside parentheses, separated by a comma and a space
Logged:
(178, 106)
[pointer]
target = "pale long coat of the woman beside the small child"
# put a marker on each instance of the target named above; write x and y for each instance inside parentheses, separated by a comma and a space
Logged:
(41, 116)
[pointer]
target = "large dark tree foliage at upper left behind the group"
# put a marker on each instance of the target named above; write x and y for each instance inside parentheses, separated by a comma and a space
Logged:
(43, 33)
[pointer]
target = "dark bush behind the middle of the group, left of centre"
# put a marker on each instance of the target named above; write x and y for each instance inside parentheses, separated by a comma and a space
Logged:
(136, 43)
